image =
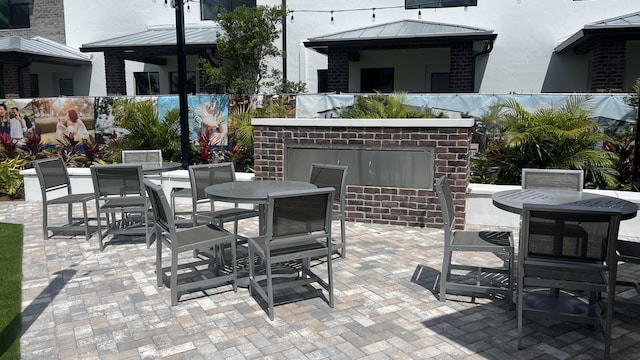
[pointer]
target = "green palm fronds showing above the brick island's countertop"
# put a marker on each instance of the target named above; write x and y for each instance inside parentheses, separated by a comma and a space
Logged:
(384, 106)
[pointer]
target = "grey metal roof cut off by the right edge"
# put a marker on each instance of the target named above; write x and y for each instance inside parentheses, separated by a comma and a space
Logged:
(629, 23)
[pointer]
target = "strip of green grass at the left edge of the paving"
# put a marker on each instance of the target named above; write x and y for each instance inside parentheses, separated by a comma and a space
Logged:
(10, 290)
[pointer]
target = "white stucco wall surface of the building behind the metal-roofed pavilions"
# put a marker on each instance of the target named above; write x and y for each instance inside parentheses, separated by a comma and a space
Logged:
(522, 60)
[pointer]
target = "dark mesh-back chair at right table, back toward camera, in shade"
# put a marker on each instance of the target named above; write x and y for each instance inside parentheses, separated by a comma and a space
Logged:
(558, 281)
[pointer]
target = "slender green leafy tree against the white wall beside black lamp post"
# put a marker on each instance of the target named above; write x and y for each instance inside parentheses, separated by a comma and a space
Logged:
(245, 47)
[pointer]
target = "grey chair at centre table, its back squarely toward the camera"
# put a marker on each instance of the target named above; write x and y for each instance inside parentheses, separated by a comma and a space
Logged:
(298, 229)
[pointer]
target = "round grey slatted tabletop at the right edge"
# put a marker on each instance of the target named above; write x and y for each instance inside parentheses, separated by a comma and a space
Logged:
(513, 200)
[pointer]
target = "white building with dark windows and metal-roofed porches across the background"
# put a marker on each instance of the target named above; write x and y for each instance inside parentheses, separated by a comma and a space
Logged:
(119, 47)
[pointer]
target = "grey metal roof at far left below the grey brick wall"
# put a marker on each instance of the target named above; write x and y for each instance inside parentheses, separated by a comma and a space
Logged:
(45, 50)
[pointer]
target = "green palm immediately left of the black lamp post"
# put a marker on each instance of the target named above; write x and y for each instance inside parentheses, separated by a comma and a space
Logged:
(147, 130)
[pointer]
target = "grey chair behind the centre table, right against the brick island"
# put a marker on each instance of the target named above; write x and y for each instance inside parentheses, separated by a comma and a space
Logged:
(335, 176)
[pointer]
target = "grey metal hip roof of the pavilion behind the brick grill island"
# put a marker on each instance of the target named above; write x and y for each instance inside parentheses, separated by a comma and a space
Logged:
(400, 33)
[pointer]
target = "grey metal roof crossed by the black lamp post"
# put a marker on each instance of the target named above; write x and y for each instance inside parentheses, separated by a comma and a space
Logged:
(157, 37)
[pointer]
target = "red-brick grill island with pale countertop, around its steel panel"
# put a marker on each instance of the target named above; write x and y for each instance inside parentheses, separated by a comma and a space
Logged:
(418, 207)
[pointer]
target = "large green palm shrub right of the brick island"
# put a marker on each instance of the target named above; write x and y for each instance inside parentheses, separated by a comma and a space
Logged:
(548, 138)
